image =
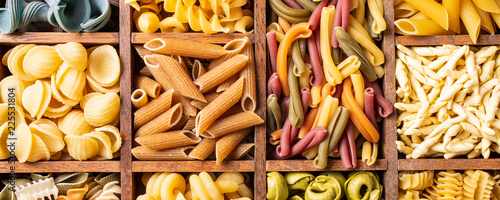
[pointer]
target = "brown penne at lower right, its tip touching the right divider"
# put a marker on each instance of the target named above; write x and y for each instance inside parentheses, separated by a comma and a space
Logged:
(231, 124)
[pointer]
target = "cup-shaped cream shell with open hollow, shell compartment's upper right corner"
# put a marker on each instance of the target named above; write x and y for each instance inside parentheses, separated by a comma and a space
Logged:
(104, 65)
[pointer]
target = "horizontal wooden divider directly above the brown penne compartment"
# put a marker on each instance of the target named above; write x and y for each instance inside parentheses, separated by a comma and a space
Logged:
(218, 38)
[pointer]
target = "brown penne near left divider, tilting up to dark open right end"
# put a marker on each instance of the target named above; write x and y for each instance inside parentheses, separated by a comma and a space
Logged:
(161, 123)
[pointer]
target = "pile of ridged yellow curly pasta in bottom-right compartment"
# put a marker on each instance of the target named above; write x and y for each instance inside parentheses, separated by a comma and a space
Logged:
(449, 184)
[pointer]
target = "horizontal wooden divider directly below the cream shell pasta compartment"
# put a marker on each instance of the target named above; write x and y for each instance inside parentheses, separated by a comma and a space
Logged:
(62, 166)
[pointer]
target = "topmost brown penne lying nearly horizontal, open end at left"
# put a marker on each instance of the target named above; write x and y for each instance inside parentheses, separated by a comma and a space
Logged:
(185, 48)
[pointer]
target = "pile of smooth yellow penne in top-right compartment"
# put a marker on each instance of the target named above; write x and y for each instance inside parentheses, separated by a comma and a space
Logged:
(428, 17)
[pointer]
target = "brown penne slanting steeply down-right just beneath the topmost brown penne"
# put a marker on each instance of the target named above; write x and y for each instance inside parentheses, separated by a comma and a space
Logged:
(179, 78)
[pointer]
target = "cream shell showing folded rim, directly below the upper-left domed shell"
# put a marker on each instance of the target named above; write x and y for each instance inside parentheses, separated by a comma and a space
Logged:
(36, 98)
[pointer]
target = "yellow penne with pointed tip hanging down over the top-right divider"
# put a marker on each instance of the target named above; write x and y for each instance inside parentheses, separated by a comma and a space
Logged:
(470, 18)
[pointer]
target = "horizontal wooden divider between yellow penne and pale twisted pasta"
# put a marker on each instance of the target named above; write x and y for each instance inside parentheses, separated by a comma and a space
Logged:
(446, 39)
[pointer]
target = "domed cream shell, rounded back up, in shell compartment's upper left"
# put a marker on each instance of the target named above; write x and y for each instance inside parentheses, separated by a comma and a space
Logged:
(41, 61)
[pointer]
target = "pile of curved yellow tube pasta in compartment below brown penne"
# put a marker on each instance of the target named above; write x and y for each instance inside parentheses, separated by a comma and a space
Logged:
(203, 185)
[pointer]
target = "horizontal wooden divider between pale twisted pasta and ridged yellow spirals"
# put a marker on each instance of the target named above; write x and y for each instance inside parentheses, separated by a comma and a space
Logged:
(445, 164)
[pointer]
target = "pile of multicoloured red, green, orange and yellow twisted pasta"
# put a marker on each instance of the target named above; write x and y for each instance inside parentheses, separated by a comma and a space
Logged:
(325, 97)
